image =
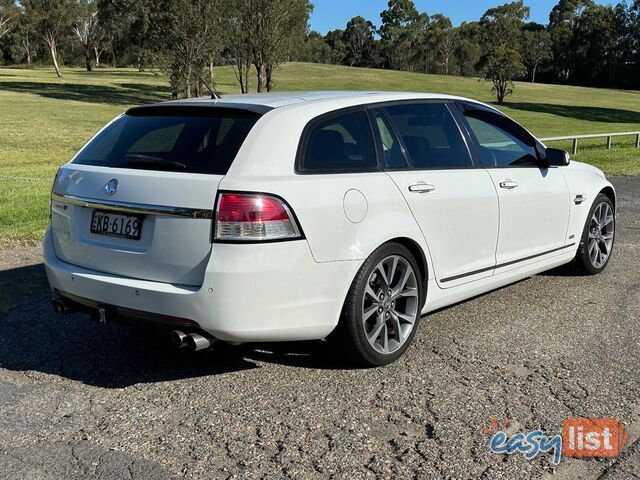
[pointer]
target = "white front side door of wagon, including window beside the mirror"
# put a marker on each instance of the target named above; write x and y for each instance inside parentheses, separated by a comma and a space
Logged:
(533, 198)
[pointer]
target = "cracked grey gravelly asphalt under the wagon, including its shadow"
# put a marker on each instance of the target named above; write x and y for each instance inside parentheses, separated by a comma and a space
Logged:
(81, 400)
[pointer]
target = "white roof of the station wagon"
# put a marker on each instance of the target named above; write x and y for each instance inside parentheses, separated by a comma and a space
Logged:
(262, 102)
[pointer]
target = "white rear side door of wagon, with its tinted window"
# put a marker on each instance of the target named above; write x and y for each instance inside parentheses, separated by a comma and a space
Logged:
(454, 203)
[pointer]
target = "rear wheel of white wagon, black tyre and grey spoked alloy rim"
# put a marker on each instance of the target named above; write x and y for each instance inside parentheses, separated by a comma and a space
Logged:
(382, 309)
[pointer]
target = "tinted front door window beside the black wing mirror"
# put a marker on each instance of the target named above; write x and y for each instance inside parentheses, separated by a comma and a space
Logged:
(501, 142)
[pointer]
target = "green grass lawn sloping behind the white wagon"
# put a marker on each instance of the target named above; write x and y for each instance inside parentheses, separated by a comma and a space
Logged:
(44, 120)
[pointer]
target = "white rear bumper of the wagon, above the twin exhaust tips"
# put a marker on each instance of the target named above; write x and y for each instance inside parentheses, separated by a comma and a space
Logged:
(250, 293)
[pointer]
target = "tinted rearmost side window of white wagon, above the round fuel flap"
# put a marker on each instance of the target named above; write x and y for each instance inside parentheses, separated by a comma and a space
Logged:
(341, 143)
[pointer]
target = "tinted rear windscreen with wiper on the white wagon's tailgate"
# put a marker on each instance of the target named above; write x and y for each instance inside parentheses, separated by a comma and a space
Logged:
(195, 140)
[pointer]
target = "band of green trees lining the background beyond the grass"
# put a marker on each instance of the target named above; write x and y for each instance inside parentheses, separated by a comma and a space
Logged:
(585, 43)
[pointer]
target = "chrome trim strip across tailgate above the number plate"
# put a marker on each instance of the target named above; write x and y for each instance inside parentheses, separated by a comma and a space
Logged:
(137, 208)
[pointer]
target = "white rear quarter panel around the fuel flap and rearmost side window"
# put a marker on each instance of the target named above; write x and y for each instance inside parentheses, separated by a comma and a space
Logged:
(266, 163)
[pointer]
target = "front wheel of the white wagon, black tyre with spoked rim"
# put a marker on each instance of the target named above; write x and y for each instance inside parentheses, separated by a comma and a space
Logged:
(598, 237)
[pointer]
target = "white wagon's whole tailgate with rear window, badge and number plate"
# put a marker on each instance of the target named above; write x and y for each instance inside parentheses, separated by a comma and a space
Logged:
(137, 200)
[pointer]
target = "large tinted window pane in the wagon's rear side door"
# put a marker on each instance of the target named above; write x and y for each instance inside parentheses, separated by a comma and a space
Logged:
(431, 135)
